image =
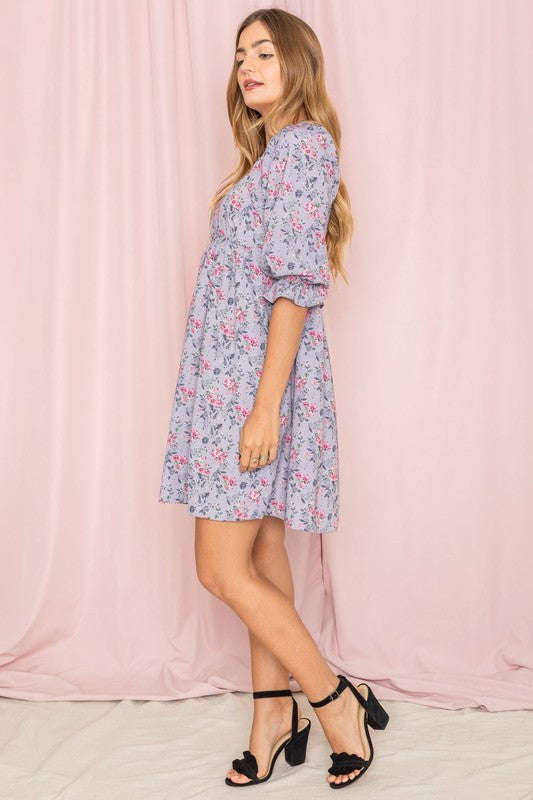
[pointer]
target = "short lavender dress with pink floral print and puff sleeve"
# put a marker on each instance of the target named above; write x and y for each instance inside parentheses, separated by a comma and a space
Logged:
(267, 240)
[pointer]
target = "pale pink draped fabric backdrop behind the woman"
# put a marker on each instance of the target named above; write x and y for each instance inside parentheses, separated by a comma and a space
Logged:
(114, 138)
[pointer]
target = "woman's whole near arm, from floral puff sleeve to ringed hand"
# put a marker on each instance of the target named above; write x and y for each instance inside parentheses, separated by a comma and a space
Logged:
(299, 176)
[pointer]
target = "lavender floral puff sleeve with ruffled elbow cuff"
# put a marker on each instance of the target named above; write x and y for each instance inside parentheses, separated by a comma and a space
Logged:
(301, 182)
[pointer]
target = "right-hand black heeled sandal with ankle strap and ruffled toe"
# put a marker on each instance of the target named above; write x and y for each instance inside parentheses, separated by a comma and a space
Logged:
(369, 711)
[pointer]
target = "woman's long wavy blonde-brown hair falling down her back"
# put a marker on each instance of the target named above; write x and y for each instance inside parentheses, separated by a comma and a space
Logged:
(304, 98)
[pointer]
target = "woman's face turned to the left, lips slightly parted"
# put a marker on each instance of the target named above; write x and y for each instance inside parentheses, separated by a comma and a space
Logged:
(257, 61)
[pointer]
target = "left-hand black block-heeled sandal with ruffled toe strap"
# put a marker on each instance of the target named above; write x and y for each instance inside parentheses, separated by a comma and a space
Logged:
(293, 742)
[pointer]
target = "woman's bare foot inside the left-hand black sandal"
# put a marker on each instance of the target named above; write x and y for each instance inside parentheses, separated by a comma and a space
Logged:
(272, 719)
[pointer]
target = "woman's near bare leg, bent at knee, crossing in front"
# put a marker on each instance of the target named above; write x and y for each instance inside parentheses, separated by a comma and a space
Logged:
(225, 566)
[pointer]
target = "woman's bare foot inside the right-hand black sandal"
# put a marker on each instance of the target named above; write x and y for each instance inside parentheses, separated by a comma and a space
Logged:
(339, 722)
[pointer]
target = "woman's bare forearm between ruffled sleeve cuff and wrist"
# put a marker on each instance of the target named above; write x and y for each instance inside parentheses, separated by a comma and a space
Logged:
(284, 333)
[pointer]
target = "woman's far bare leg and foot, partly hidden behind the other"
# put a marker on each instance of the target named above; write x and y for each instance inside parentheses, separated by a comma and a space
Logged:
(272, 715)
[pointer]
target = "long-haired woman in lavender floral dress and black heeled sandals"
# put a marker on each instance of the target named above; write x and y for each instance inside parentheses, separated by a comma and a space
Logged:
(253, 437)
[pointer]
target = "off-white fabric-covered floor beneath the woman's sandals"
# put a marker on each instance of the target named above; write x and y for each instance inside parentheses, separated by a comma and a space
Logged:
(140, 750)
